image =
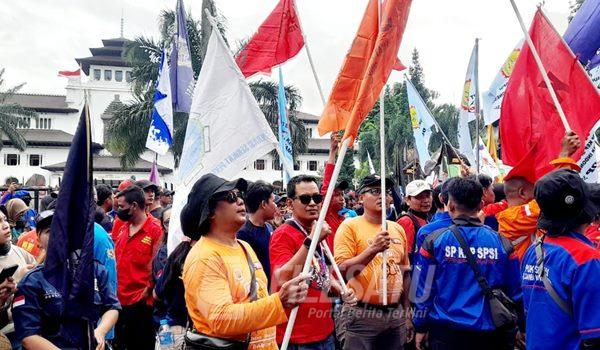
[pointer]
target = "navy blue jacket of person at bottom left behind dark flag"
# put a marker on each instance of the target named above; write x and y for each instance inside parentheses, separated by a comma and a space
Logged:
(38, 309)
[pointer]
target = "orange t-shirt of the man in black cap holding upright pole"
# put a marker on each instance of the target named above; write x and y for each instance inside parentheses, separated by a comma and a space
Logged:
(353, 237)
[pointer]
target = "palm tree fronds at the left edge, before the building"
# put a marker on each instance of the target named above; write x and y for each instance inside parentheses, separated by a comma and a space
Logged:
(13, 116)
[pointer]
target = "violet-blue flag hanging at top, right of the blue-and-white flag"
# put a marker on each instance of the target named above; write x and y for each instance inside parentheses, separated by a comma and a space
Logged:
(182, 74)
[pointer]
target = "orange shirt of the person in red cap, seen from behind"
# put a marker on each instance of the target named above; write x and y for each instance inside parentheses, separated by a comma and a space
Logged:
(519, 225)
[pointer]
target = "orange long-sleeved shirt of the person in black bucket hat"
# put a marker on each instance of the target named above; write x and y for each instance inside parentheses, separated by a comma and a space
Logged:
(217, 285)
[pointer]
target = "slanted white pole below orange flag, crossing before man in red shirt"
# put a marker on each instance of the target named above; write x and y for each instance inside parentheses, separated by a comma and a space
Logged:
(317, 234)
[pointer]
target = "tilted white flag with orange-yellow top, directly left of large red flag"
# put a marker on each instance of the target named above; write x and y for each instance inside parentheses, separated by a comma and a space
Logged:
(491, 100)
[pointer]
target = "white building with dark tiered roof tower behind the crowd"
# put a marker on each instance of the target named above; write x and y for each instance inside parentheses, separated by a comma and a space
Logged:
(107, 82)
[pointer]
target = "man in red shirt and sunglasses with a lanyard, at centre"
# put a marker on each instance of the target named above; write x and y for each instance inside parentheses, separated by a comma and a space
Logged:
(288, 251)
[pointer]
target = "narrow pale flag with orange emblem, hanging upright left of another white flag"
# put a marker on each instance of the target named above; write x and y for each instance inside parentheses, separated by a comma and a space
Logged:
(468, 108)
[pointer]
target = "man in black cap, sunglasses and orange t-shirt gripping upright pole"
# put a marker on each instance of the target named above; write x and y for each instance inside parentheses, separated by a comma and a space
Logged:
(359, 246)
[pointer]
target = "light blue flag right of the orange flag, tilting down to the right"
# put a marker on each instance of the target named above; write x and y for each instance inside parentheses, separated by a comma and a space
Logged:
(421, 121)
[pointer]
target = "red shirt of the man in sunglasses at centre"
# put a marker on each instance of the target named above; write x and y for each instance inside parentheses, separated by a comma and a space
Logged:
(314, 322)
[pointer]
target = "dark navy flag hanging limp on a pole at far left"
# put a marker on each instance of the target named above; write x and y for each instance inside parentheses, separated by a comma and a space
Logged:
(69, 265)
